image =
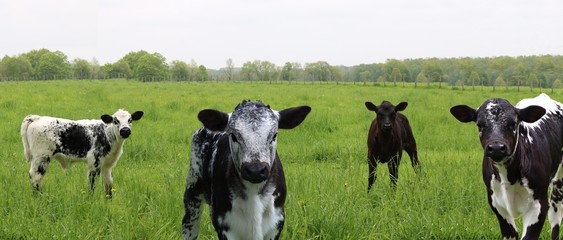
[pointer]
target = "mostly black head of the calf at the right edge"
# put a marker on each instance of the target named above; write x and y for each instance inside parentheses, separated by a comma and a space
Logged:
(498, 123)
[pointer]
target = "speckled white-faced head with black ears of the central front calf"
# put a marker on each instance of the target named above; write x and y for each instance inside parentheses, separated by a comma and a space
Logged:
(253, 129)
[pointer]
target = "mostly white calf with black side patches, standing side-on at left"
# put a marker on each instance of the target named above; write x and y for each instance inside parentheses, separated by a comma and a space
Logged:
(99, 143)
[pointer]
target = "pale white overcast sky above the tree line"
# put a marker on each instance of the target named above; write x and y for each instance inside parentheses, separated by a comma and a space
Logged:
(346, 33)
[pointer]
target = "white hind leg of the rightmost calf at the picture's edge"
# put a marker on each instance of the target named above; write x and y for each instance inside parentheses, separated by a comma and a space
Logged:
(555, 212)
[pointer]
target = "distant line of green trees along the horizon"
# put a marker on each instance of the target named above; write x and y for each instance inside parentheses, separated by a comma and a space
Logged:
(545, 71)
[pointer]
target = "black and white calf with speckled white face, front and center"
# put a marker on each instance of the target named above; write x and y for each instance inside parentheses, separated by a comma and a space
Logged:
(235, 168)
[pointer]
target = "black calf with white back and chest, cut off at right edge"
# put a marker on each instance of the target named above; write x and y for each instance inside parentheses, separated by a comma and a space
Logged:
(522, 156)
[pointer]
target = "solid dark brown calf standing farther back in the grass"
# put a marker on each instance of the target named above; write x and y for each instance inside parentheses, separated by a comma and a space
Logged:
(390, 133)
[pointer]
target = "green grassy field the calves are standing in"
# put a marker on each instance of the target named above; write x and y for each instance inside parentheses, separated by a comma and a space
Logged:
(324, 160)
